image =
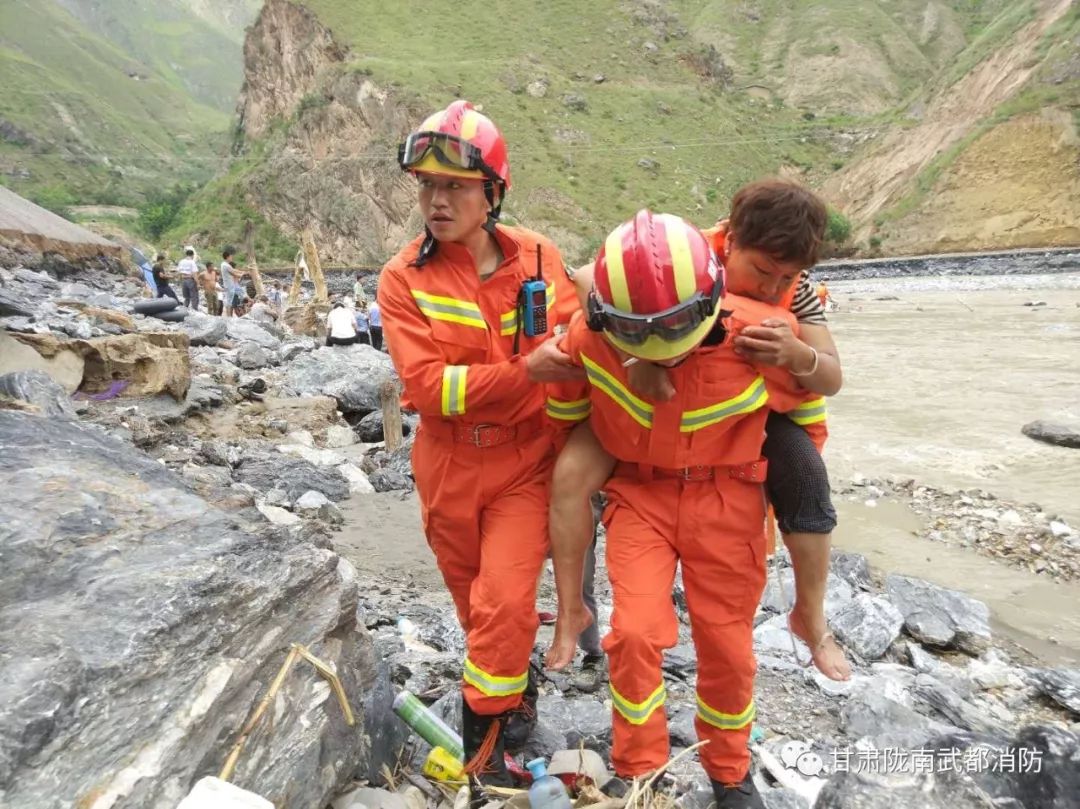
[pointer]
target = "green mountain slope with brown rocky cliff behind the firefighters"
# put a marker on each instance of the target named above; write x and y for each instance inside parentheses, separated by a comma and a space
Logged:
(617, 104)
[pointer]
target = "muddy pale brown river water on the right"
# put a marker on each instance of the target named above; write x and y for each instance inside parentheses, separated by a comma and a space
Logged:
(940, 376)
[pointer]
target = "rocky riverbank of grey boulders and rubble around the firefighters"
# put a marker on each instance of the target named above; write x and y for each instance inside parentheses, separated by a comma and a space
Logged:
(187, 528)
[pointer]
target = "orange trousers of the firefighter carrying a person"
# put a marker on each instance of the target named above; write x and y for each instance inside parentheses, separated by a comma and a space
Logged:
(714, 529)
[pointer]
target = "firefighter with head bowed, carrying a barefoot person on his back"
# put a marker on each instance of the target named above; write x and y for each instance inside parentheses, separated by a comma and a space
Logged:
(687, 487)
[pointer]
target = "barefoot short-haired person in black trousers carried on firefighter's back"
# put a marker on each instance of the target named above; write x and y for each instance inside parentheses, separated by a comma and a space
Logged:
(773, 235)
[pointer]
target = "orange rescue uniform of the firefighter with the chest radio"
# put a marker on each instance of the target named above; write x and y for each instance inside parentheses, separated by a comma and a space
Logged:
(484, 451)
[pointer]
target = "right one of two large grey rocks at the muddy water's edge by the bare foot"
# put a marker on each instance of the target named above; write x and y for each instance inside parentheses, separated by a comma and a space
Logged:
(938, 617)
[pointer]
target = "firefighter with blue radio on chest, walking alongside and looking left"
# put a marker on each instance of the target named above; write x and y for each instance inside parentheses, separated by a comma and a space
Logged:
(474, 350)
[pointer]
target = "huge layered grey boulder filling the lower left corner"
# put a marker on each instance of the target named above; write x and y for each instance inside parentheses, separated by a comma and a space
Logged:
(140, 628)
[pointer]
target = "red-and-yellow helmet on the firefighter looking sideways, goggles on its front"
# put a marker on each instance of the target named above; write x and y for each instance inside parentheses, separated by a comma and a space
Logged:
(458, 142)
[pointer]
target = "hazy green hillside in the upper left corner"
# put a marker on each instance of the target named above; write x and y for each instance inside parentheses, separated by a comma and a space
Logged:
(83, 122)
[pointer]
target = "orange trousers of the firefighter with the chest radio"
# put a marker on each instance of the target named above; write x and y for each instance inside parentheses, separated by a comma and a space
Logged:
(485, 517)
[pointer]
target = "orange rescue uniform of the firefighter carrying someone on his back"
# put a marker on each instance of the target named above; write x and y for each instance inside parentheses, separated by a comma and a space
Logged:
(687, 488)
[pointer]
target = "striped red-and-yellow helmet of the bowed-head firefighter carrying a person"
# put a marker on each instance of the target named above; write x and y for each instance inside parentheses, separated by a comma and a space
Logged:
(657, 287)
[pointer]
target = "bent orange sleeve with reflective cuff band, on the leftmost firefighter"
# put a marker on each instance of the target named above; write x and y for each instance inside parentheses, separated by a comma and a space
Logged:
(435, 388)
